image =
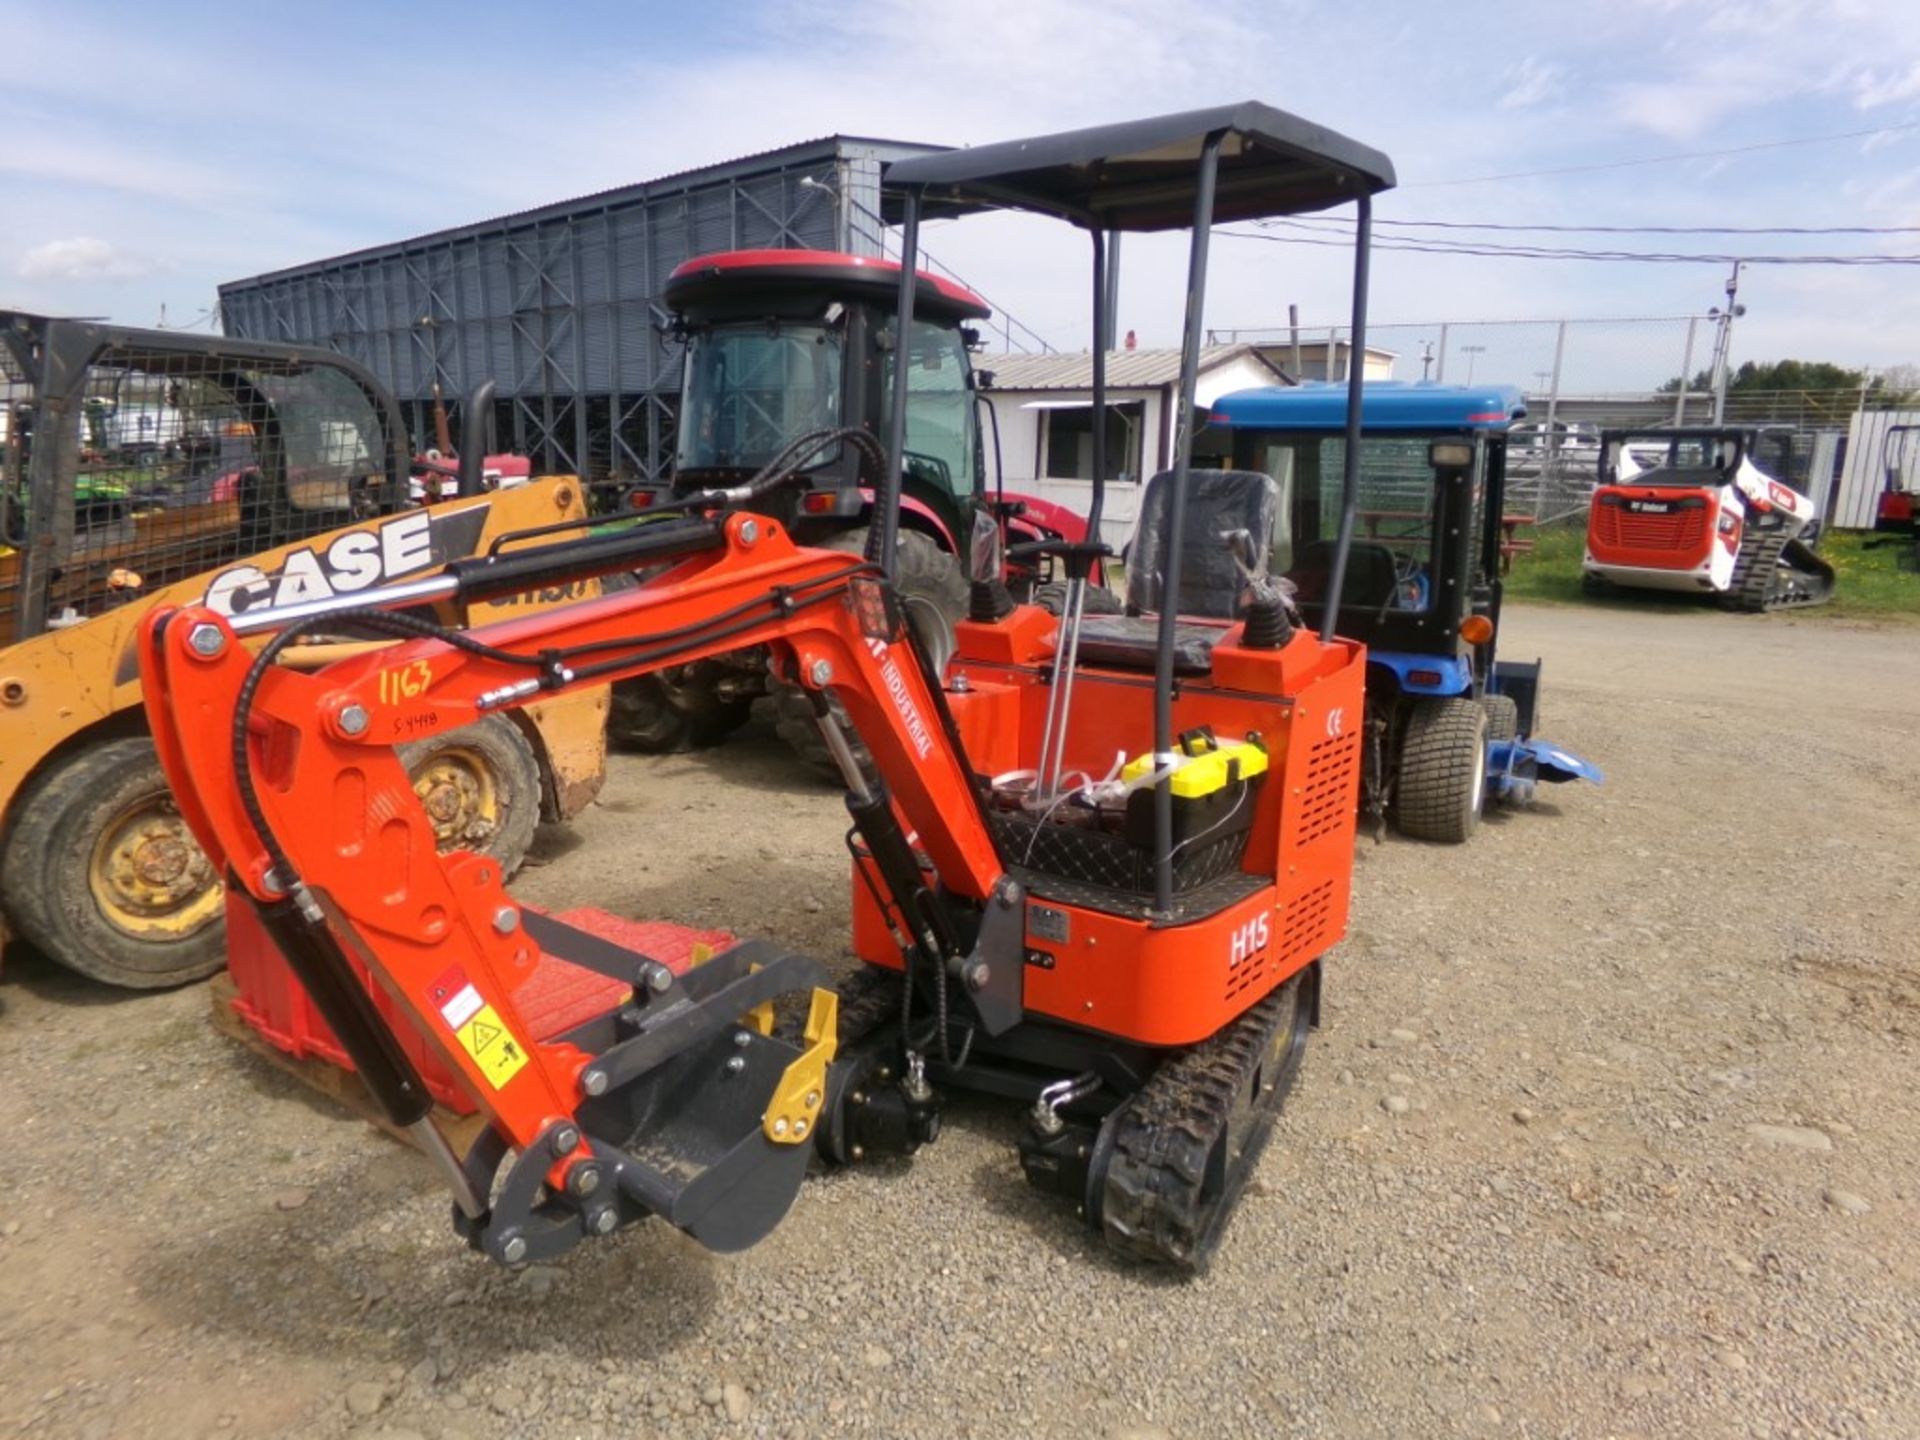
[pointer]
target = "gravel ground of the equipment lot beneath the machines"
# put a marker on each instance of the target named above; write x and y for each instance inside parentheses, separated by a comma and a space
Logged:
(1654, 1172)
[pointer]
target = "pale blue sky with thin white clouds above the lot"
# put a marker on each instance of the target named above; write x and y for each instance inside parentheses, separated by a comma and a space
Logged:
(155, 153)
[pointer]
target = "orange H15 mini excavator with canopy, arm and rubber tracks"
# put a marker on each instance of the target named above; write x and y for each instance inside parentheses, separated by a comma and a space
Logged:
(1097, 863)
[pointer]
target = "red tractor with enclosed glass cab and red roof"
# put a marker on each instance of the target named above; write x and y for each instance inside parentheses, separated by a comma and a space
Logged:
(784, 343)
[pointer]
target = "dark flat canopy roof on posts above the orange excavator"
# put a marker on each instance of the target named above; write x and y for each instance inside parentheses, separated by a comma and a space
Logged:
(1141, 176)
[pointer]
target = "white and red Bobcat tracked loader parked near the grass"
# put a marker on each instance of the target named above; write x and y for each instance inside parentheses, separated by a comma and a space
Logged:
(1691, 512)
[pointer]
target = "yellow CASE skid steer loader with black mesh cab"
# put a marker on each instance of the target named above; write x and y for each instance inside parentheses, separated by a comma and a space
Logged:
(153, 469)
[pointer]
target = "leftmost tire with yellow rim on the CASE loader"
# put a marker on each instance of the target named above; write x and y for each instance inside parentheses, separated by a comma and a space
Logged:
(103, 875)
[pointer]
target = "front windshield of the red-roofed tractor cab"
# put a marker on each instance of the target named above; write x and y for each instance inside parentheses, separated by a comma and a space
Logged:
(754, 389)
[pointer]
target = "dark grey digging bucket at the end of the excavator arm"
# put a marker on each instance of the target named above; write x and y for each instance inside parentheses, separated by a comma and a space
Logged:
(690, 1107)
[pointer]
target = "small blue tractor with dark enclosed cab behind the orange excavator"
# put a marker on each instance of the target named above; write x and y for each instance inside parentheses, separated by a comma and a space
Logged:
(1449, 725)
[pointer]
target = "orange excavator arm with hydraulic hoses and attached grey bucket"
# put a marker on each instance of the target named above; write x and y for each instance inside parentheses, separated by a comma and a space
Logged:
(681, 1101)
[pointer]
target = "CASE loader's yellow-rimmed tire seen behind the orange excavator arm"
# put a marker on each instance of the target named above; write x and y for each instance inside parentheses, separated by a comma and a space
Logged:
(481, 788)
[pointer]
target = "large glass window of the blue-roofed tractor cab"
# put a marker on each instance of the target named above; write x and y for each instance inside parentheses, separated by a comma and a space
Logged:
(1393, 558)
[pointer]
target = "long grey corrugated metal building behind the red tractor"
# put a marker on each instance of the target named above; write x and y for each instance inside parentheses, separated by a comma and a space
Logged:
(560, 306)
